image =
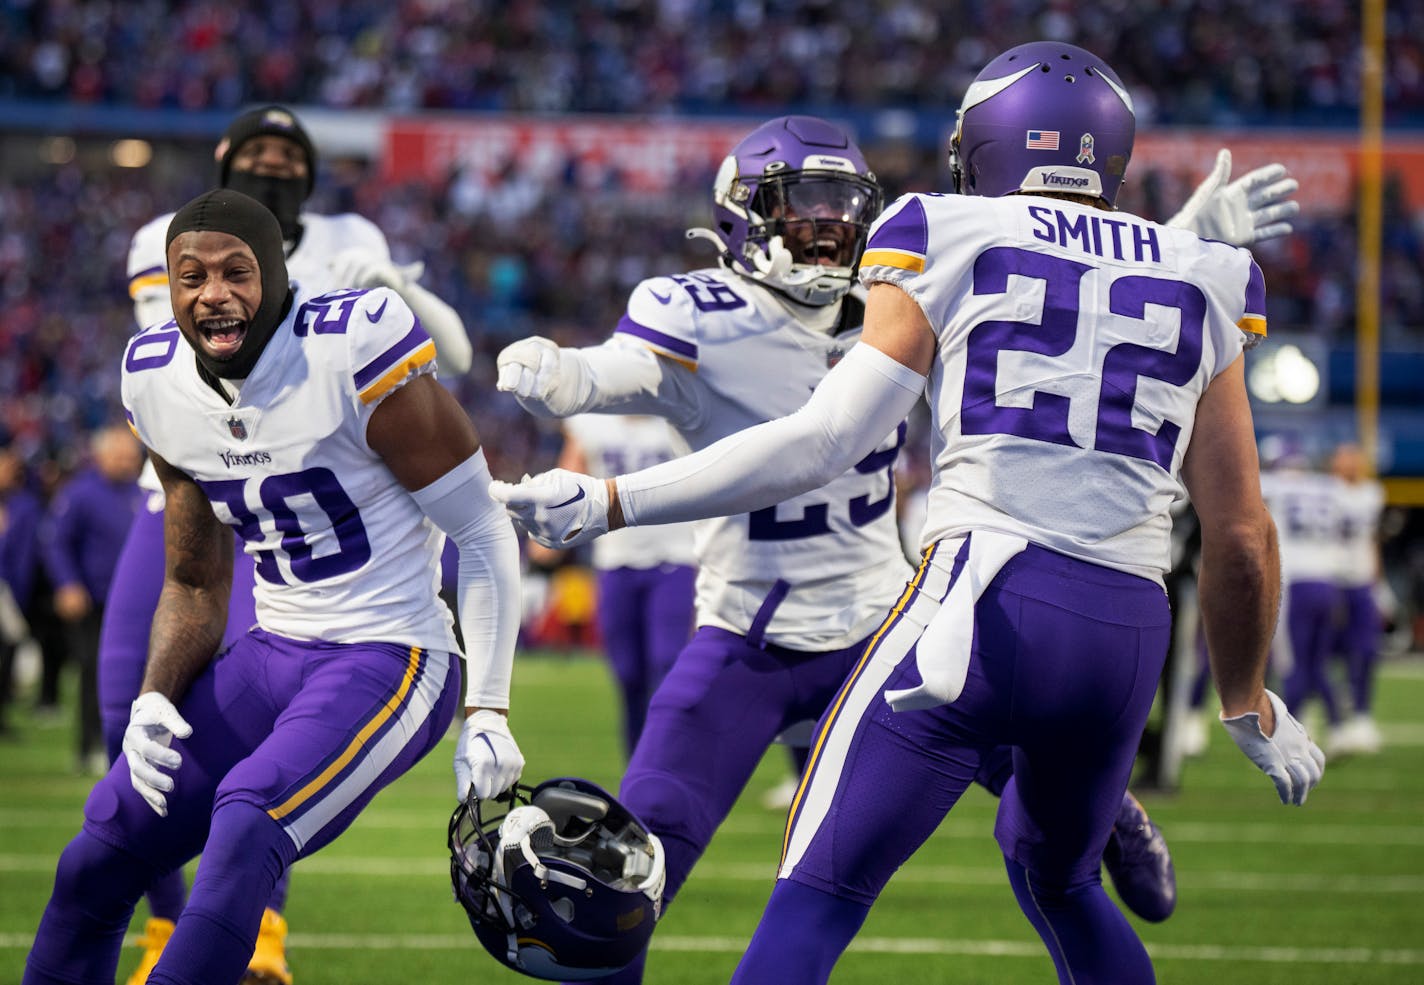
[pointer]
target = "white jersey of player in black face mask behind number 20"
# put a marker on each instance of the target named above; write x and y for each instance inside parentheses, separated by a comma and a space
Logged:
(310, 268)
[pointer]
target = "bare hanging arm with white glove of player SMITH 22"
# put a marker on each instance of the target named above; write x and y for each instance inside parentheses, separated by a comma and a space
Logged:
(1240, 586)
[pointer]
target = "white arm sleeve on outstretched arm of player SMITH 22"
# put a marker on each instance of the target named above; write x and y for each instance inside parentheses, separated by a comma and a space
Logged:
(857, 406)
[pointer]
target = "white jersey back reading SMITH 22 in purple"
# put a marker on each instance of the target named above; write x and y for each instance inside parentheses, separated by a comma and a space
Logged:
(1073, 349)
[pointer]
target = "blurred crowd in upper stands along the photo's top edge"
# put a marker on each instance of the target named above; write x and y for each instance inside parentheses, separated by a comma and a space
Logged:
(1200, 62)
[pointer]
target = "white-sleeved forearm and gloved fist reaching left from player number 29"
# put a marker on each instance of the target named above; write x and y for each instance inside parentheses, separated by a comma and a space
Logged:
(616, 378)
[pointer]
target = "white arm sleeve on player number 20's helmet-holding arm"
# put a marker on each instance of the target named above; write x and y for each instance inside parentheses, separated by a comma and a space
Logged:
(489, 590)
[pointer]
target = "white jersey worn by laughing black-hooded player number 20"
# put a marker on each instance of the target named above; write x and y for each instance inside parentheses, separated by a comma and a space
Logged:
(342, 550)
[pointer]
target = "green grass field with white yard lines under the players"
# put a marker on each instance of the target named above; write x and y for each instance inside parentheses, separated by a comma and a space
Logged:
(1328, 895)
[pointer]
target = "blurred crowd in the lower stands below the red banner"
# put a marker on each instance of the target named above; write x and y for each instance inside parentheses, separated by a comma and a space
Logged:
(515, 256)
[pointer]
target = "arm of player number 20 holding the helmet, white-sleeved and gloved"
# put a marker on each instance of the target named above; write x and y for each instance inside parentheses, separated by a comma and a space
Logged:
(432, 448)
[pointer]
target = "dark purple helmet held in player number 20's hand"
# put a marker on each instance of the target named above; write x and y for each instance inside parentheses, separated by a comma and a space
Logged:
(563, 883)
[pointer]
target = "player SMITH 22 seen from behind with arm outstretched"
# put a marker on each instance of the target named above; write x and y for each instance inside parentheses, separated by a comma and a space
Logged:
(1077, 362)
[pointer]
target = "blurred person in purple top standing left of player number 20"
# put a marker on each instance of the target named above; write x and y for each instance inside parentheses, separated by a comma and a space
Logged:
(80, 540)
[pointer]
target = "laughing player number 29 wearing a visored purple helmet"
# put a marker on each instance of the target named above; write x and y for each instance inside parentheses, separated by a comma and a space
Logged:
(788, 594)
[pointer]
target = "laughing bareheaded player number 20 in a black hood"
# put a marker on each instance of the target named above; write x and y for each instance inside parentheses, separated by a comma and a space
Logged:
(313, 425)
